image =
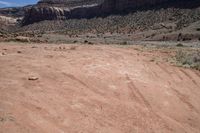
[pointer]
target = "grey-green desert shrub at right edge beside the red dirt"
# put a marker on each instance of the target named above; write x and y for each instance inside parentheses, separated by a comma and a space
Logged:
(189, 59)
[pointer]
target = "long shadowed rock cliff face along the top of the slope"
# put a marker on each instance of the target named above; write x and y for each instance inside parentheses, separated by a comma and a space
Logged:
(66, 9)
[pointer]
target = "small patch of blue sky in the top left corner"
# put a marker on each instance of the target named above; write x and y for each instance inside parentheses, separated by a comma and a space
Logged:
(14, 3)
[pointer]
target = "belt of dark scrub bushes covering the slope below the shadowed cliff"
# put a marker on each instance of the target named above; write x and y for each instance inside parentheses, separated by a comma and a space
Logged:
(138, 21)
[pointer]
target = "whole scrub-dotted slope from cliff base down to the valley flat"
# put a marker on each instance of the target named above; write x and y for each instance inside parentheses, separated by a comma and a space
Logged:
(162, 24)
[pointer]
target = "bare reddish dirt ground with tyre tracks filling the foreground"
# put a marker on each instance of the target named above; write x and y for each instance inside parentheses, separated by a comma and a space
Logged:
(94, 89)
